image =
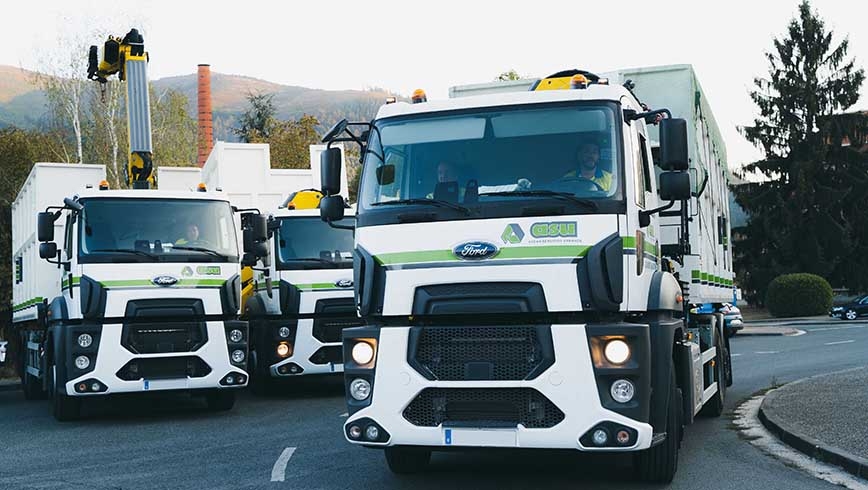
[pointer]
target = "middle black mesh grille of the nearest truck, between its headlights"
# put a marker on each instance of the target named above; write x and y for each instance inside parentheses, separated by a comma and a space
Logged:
(481, 353)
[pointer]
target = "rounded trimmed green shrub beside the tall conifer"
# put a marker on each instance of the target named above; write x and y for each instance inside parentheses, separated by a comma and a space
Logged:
(799, 295)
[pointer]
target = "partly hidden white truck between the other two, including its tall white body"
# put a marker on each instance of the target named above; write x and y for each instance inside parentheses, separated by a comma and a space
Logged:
(295, 324)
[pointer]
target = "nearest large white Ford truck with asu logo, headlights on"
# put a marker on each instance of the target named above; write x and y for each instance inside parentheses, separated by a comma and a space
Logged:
(524, 267)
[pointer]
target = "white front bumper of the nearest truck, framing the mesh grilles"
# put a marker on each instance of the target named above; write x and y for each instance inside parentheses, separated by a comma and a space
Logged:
(569, 383)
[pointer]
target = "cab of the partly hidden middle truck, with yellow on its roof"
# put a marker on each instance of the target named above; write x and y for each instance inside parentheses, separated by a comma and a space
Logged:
(296, 325)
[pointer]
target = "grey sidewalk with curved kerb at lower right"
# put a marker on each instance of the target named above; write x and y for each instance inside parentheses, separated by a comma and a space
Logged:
(823, 417)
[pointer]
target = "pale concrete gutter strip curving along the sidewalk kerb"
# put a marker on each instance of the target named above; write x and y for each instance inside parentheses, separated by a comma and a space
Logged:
(749, 425)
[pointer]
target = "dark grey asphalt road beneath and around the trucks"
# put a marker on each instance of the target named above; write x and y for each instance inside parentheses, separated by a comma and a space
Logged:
(171, 442)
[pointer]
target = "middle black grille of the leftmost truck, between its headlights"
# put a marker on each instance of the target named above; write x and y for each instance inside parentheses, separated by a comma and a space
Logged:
(157, 338)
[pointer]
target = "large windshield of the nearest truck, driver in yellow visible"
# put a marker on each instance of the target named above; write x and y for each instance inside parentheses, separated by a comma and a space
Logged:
(494, 162)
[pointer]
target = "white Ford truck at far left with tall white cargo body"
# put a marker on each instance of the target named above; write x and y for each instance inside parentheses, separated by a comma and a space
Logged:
(122, 291)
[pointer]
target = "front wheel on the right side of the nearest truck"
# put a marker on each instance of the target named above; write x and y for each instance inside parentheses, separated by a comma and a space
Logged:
(659, 463)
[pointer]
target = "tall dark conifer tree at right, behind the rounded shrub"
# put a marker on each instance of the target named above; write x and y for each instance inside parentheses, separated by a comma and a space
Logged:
(804, 215)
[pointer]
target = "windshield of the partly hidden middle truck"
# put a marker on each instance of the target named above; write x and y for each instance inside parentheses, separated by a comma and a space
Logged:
(310, 243)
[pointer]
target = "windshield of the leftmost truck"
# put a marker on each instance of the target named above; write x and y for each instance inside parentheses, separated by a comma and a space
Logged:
(156, 230)
